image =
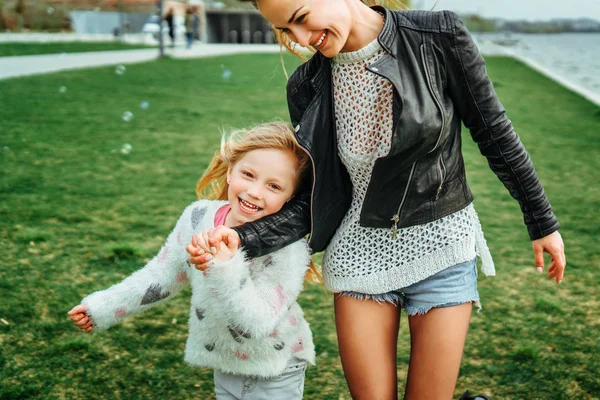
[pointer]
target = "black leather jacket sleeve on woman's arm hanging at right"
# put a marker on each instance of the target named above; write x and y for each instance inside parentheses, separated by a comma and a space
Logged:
(479, 108)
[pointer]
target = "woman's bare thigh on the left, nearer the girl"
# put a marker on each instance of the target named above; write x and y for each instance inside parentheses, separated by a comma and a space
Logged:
(367, 337)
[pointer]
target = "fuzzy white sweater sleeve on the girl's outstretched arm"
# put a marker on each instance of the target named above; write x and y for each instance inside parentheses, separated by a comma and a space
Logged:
(160, 279)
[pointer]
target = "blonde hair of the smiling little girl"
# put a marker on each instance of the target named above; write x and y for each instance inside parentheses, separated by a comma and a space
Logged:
(271, 135)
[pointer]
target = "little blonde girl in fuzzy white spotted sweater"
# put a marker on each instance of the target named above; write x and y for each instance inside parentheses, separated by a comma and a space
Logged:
(244, 321)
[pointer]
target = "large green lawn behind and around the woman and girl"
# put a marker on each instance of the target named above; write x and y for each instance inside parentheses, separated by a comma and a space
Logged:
(77, 215)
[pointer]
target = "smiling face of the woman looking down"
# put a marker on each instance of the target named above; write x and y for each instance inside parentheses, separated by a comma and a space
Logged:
(321, 24)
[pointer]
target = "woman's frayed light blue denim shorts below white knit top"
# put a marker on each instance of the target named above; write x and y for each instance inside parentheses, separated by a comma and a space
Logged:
(450, 287)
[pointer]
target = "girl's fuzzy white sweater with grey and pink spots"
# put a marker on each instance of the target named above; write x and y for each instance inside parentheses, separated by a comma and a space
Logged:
(244, 318)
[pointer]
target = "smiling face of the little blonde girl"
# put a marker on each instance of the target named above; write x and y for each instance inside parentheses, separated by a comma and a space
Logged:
(260, 183)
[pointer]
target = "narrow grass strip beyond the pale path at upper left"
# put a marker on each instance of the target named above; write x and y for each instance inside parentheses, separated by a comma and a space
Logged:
(35, 48)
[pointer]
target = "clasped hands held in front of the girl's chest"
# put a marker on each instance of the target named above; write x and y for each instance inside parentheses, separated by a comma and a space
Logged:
(204, 245)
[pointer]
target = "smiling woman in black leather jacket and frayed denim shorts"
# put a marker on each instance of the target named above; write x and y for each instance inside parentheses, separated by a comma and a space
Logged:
(379, 107)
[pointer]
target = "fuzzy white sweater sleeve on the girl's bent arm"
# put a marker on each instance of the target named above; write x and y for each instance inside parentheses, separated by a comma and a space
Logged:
(255, 305)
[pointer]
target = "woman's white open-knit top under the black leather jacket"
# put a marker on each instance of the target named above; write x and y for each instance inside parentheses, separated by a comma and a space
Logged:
(370, 260)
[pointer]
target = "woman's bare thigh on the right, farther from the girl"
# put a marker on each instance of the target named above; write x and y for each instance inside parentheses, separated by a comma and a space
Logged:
(437, 342)
